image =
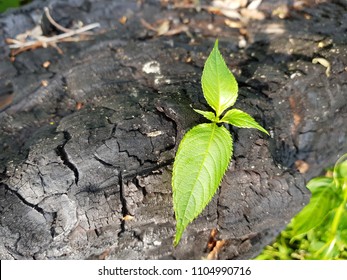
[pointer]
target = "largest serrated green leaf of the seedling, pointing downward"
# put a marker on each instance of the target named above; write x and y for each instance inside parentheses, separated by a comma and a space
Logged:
(201, 161)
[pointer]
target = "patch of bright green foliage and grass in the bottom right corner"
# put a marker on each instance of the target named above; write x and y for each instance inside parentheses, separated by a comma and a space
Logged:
(319, 231)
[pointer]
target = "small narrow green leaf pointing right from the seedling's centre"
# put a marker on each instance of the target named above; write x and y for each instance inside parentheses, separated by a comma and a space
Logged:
(241, 119)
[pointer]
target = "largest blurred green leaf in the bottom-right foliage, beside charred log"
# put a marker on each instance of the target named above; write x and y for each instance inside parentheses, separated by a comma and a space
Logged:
(324, 199)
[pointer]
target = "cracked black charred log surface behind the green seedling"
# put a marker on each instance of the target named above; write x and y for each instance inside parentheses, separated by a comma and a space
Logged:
(85, 161)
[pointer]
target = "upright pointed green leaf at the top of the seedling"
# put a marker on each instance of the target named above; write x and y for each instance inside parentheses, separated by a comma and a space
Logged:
(218, 83)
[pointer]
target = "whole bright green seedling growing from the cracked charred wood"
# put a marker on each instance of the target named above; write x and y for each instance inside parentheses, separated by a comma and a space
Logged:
(205, 151)
